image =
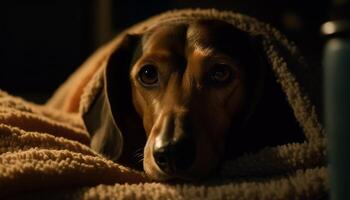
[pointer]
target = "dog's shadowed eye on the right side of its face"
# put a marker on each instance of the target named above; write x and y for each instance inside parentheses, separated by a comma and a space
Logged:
(220, 73)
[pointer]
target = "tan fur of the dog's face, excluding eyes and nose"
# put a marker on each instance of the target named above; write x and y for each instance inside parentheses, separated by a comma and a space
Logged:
(183, 63)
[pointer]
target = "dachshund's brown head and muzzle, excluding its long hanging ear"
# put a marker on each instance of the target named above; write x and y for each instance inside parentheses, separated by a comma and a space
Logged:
(189, 85)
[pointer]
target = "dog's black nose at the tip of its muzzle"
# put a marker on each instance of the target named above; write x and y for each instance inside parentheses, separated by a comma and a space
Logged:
(175, 156)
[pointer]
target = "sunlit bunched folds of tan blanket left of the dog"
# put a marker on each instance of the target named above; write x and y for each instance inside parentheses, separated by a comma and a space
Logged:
(42, 148)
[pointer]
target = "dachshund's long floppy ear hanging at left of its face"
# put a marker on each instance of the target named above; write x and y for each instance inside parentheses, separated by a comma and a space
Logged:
(116, 129)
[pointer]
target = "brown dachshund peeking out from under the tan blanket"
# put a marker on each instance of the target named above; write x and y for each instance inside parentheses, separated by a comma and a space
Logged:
(190, 90)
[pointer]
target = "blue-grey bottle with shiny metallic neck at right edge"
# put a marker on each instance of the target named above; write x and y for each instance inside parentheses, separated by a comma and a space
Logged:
(337, 97)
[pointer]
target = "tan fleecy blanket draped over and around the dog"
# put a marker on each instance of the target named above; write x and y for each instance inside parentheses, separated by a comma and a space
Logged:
(45, 153)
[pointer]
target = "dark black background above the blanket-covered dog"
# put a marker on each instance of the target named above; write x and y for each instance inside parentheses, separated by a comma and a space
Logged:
(42, 42)
